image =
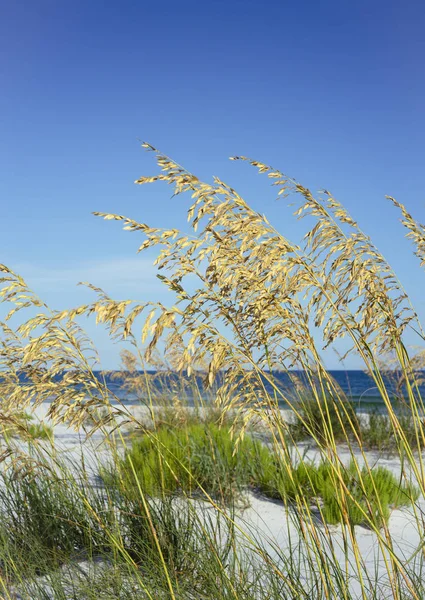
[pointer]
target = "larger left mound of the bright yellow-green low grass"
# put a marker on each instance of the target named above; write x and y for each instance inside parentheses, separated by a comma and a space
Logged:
(200, 456)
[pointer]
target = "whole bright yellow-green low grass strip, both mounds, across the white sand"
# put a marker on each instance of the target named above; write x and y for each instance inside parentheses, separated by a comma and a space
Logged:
(203, 457)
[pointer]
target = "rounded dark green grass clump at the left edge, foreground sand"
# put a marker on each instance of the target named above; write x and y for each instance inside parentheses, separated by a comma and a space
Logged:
(45, 519)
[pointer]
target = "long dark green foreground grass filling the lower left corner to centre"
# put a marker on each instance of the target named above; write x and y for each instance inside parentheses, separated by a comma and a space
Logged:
(62, 537)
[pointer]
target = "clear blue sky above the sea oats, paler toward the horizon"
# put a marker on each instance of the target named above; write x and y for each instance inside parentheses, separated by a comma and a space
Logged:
(331, 92)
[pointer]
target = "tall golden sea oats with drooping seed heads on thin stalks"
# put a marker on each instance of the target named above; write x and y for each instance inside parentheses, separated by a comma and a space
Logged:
(259, 297)
